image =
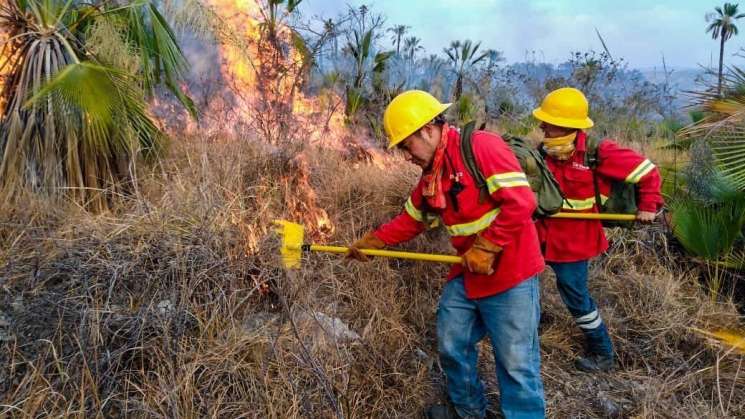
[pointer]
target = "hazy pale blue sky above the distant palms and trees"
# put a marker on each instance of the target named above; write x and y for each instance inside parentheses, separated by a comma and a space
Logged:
(638, 30)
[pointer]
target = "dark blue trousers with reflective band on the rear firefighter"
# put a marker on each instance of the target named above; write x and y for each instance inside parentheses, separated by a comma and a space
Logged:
(571, 280)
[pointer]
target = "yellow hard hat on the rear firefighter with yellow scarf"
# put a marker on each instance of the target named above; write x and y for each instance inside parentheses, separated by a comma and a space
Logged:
(566, 107)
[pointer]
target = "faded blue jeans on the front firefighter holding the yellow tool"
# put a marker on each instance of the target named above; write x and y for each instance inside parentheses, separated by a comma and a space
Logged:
(511, 321)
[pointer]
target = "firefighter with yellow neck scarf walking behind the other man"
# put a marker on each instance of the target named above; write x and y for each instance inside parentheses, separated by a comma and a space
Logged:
(569, 244)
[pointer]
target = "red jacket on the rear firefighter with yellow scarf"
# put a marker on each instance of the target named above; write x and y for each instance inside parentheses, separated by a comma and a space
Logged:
(567, 240)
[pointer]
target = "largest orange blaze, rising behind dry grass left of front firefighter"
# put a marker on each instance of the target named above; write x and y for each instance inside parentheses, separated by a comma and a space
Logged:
(255, 71)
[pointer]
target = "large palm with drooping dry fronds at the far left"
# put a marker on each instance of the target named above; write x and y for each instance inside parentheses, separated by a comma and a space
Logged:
(74, 97)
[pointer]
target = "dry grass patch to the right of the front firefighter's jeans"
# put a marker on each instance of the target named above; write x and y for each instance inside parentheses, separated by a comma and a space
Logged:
(650, 307)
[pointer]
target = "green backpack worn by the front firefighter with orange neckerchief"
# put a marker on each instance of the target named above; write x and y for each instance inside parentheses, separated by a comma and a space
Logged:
(542, 182)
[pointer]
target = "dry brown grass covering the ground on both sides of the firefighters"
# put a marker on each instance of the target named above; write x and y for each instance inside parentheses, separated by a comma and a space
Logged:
(158, 309)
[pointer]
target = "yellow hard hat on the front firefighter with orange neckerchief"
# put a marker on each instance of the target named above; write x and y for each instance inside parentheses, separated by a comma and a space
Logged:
(408, 112)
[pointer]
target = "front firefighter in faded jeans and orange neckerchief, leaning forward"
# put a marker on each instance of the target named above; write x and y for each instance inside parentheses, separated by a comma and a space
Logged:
(496, 291)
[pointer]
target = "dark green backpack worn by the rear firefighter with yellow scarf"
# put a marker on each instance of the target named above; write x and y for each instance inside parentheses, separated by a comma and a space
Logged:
(623, 196)
